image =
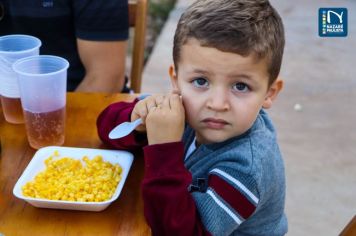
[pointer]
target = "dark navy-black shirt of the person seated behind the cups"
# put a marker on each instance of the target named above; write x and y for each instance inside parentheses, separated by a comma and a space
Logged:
(57, 23)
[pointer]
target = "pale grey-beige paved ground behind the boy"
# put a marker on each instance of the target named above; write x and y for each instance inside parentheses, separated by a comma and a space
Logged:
(319, 141)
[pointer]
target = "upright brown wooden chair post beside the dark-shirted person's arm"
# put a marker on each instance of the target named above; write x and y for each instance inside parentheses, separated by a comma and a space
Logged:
(137, 19)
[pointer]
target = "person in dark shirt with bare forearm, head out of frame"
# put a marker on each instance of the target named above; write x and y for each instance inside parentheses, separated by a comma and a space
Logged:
(91, 35)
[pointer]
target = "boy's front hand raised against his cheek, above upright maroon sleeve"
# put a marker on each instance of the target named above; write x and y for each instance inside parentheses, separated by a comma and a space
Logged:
(165, 122)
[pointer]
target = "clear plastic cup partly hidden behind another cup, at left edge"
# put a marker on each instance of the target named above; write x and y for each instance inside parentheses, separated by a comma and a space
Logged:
(12, 48)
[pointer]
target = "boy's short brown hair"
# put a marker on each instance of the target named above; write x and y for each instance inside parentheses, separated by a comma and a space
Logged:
(245, 27)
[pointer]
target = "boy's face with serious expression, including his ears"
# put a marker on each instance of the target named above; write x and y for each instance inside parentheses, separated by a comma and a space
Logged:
(222, 92)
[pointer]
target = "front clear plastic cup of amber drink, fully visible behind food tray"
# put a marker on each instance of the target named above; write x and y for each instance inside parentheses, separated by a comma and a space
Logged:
(43, 81)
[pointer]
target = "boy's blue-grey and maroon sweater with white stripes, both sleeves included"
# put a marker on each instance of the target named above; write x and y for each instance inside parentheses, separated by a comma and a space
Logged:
(236, 187)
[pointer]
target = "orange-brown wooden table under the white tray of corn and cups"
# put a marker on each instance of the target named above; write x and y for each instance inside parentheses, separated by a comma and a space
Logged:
(122, 217)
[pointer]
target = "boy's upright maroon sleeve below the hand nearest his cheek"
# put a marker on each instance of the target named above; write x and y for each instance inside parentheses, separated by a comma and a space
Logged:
(169, 207)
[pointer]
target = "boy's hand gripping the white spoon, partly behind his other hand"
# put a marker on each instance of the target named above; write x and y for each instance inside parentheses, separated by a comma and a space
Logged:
(142, 108)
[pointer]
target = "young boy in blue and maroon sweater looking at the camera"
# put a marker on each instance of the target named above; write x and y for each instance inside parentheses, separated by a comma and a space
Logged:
(212, 163)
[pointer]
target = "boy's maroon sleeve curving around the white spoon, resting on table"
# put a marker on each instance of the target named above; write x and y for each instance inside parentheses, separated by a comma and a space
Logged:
(113, 115)
